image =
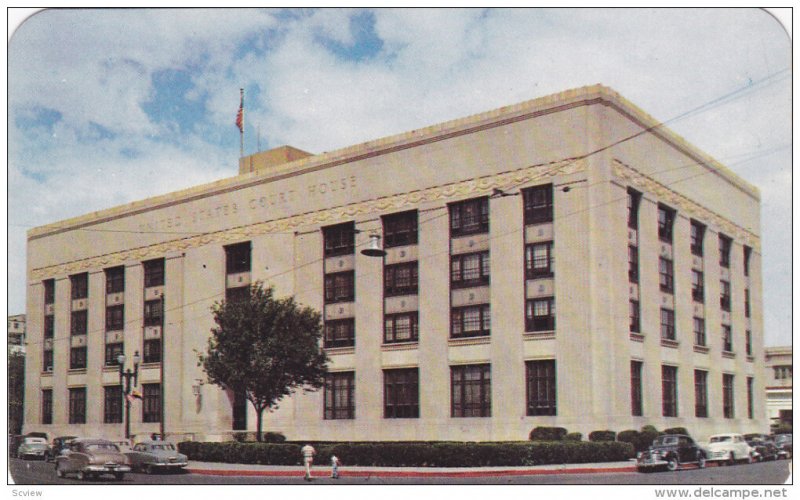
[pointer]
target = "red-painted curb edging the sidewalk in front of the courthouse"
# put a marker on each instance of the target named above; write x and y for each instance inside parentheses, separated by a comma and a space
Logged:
(406, 474)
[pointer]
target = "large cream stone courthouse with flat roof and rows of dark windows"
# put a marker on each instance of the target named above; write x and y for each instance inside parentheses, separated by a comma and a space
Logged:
(565, 261)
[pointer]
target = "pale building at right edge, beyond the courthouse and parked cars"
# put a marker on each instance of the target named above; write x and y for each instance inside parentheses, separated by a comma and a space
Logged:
(779, 384)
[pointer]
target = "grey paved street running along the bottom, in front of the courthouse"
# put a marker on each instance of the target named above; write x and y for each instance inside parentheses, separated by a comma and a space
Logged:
(767, 473)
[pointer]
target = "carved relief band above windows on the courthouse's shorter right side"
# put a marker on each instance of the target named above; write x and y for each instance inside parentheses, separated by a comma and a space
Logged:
(684, 204)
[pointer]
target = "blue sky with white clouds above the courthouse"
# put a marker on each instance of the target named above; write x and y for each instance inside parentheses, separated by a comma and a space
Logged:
(111, 106)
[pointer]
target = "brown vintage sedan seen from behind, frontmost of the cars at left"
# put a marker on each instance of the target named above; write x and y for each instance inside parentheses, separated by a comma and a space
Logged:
(88, 458)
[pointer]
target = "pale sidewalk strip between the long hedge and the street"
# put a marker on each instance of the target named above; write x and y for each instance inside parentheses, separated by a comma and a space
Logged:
(223, 469)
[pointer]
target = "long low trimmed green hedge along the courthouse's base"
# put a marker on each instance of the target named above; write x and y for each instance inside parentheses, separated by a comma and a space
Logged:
(413, 454)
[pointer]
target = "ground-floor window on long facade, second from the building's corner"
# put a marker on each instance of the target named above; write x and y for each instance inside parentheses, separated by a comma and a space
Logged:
(471, 391)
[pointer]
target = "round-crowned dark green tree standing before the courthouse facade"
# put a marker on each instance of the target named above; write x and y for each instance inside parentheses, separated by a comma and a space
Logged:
(266, 348)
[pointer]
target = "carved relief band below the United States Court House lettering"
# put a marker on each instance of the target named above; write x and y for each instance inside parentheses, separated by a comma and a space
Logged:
(480, 186)
